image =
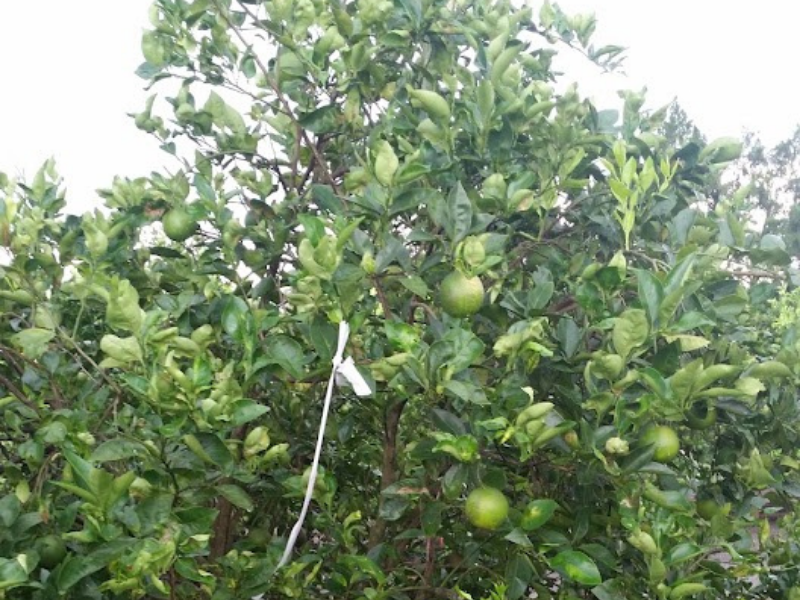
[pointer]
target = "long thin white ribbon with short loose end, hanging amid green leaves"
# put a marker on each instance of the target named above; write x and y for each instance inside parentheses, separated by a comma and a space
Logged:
(342, 371)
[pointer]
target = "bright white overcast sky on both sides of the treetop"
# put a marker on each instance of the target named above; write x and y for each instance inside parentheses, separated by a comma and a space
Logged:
(68, 76)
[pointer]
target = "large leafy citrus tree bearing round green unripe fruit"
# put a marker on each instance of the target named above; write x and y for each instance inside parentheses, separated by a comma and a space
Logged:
(577, 387)
